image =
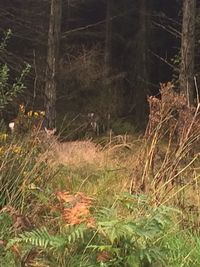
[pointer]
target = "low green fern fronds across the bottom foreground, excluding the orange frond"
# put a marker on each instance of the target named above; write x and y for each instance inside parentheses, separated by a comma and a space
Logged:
(125, 240)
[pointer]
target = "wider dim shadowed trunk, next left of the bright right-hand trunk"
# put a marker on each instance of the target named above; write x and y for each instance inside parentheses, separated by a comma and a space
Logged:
(141, 63)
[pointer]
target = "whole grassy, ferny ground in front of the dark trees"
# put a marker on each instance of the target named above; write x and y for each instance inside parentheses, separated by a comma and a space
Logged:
(120, 201)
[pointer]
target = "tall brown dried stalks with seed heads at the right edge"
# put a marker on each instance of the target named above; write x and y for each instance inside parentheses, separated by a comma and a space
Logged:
(167, 167)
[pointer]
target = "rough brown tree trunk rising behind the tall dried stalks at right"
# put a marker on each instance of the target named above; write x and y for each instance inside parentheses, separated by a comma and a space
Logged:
(186, 77)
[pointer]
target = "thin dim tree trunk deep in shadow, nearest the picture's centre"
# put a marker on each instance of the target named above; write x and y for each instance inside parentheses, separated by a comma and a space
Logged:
(108, 40)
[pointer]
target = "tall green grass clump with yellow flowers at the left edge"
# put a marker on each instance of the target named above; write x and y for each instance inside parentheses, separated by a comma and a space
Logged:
(21, 170)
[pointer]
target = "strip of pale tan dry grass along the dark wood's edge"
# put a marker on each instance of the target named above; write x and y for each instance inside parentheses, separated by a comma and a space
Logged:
(116, 152)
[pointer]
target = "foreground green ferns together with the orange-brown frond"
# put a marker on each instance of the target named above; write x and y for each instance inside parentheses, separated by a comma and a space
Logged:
(104, 237)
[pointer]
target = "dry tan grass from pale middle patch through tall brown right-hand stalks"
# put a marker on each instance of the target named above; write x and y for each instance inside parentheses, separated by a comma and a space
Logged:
(162, 165)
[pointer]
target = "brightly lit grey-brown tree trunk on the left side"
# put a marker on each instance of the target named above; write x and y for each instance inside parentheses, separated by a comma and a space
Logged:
(52, 62)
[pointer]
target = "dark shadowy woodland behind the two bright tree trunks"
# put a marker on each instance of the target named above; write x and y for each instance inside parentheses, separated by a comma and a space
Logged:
(113, 54)
